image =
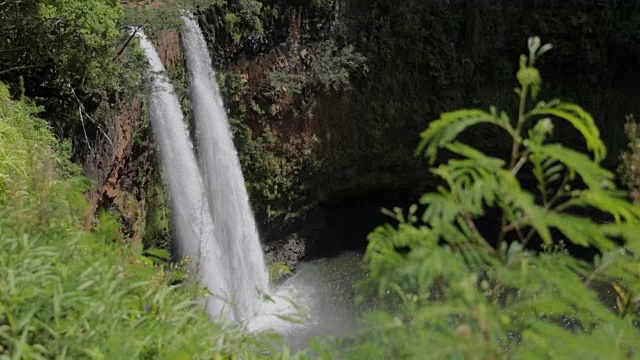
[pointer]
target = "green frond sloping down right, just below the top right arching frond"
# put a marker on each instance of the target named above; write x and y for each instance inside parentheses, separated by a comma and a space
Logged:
(594, 176)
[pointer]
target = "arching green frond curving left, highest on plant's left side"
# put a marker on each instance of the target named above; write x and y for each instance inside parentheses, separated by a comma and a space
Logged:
(446, 129)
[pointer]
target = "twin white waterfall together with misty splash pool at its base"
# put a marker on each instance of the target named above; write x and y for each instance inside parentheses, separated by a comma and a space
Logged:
(214, 224)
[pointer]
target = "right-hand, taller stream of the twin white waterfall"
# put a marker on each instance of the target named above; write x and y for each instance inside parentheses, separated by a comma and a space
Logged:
(234, 226)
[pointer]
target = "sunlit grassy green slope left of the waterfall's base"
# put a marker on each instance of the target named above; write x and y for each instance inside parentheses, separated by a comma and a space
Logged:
(69, 292)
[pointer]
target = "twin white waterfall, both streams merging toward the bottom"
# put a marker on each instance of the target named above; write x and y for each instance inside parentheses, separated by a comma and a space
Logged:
(214, 224)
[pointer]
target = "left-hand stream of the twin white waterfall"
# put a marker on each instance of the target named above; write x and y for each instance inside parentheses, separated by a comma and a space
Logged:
(193, 226)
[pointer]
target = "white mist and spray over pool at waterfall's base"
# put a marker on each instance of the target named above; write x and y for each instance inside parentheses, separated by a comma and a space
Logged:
(319, 297)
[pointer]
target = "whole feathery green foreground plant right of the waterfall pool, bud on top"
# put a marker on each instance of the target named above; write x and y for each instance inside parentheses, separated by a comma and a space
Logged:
(466, 292)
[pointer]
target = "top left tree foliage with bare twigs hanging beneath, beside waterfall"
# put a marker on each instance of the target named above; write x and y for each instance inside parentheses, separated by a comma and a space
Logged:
(66, 56)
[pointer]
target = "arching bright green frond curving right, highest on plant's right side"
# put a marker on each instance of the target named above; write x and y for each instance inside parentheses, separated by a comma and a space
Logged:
(579, 118)
